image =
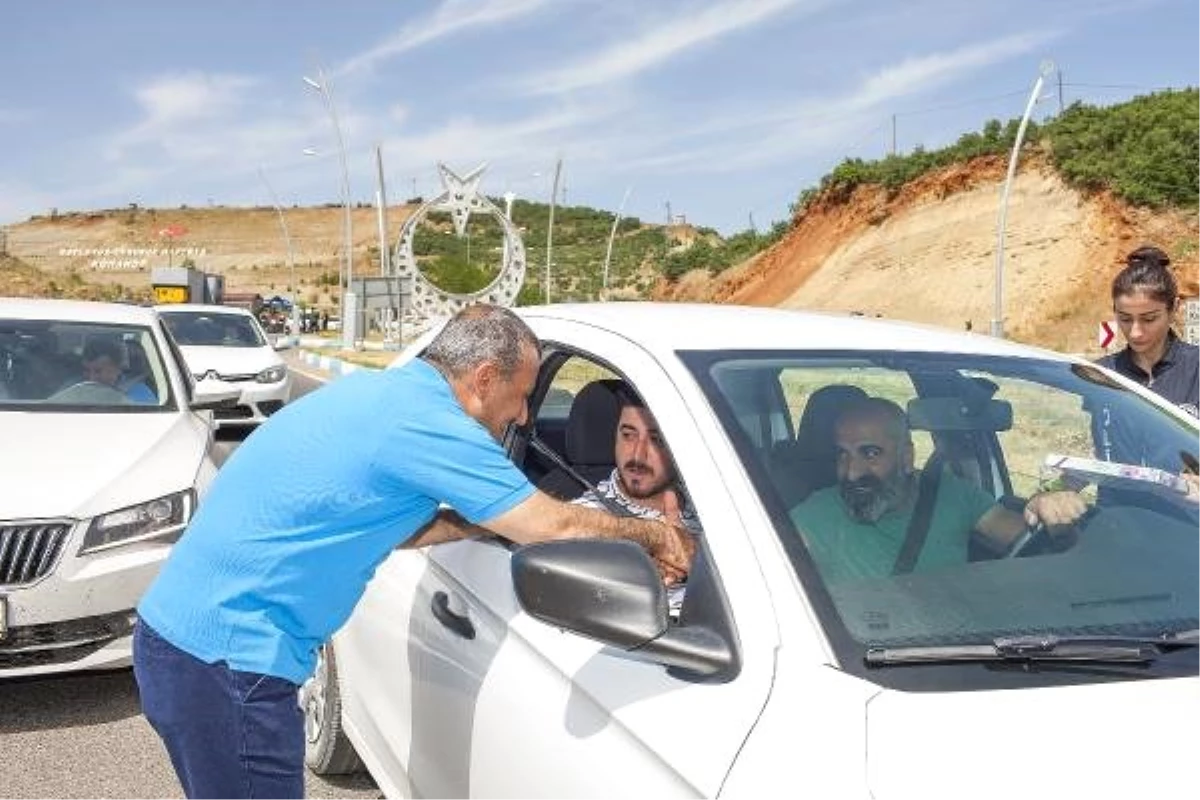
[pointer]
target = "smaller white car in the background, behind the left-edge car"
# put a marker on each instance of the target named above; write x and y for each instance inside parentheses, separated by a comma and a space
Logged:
(229, 342)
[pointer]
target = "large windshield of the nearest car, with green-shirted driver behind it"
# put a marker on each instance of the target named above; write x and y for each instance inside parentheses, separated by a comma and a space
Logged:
(995, 431)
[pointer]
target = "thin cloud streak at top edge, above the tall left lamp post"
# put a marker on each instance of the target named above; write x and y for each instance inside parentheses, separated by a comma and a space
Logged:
(452, 17)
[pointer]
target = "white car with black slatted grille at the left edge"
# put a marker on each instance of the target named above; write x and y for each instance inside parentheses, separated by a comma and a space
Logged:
(106, 447)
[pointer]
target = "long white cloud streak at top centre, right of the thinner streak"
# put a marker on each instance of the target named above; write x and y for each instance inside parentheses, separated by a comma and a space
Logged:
(658, 45)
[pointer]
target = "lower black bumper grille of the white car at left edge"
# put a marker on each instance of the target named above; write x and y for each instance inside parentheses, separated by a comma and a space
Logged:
(56, 643)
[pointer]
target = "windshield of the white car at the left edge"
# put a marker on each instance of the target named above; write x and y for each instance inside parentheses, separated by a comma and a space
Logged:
(58, 366)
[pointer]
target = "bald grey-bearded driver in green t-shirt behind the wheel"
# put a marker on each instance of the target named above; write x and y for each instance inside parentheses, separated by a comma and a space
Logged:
(860, 528)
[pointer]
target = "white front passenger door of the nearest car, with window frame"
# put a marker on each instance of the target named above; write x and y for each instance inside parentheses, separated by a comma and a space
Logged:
(503, 706)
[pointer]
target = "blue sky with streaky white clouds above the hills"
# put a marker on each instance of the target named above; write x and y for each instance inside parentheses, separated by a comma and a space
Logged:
(725, 111)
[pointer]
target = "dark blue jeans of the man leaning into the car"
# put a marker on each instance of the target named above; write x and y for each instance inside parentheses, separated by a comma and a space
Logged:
(230, 735)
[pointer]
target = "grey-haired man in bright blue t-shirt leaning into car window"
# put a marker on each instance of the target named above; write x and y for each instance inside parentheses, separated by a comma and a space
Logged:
(275, 560)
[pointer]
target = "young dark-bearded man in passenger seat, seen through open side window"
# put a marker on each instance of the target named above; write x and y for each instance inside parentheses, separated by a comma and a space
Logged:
(644, 483)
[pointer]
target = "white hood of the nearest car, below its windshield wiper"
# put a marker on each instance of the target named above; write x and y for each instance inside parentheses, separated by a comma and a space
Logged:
(1111, 741)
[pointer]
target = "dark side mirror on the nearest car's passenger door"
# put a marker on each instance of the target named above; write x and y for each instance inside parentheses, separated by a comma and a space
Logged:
(610, 591)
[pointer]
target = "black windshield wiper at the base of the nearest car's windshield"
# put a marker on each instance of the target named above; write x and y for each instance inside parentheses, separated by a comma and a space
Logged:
(1096, 649)
